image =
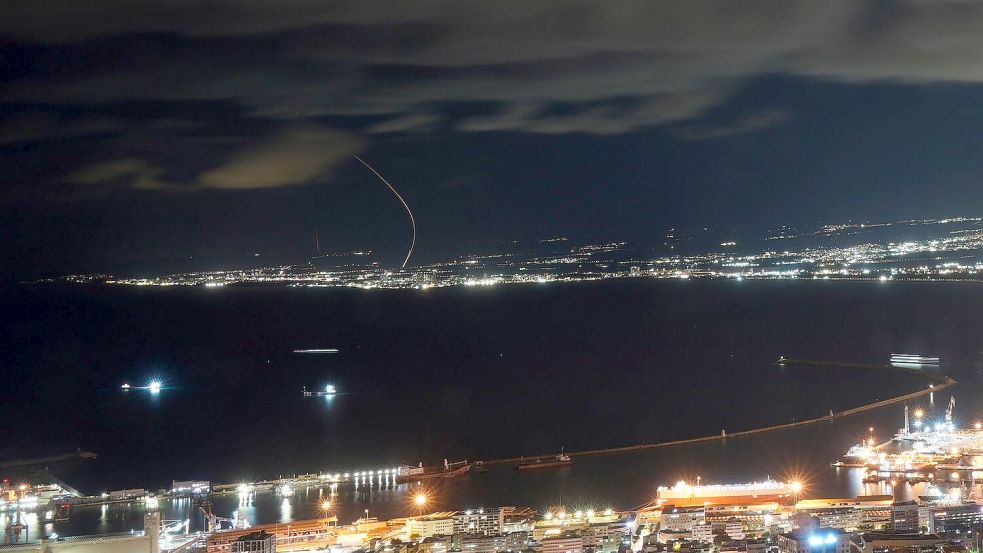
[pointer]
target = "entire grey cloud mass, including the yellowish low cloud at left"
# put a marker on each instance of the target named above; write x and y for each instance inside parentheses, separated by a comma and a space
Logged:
(166, 87)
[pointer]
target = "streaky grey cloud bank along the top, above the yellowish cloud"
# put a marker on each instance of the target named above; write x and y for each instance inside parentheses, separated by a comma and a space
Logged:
(616, 67)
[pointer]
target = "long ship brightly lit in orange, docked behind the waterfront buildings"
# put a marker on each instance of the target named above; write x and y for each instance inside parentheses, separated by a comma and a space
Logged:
(684, 494)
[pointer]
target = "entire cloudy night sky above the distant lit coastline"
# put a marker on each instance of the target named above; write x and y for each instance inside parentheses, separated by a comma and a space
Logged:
(136, 133)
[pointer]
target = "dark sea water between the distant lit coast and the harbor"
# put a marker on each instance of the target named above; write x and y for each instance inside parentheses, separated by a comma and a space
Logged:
(463, 373)
